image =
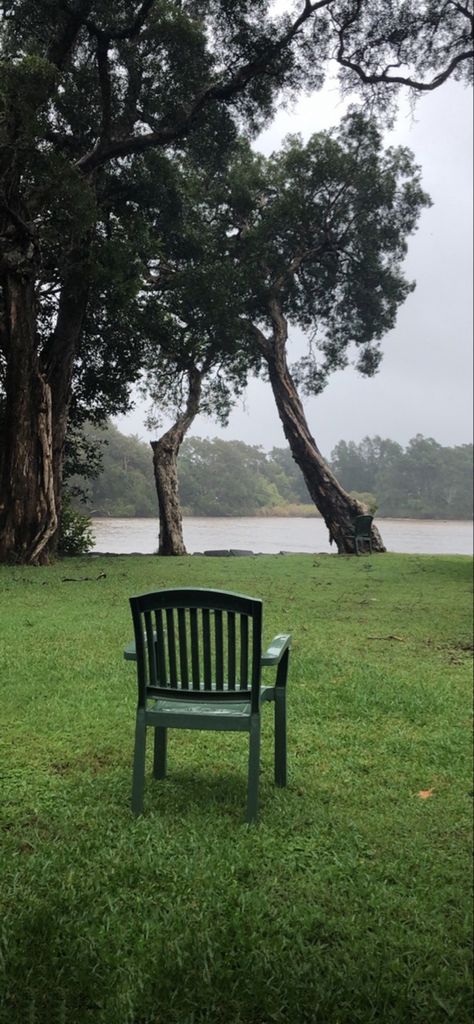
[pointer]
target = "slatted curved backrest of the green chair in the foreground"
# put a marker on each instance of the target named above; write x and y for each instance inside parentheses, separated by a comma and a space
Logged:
(198, 645)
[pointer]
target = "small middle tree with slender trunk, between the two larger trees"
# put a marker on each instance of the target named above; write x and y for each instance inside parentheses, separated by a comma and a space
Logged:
(195, 356)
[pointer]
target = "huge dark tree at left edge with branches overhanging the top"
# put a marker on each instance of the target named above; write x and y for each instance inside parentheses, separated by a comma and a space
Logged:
(91, 87)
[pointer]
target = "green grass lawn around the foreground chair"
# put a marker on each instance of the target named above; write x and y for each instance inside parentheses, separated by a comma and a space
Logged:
(350, 903)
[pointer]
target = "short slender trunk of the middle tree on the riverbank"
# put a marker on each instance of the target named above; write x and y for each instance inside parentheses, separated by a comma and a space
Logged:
(166, 453)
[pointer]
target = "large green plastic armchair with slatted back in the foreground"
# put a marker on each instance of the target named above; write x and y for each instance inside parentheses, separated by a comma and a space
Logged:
(199, 657)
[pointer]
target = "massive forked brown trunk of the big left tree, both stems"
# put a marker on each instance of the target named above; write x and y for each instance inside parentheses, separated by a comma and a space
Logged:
(38, 396)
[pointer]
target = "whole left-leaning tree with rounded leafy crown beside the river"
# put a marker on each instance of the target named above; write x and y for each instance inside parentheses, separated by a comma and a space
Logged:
(322, 237)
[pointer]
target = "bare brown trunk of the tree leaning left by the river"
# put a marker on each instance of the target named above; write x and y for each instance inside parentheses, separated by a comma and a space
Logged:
(335, 505)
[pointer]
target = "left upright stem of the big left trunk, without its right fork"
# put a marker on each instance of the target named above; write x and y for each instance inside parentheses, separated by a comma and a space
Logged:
(28, 509)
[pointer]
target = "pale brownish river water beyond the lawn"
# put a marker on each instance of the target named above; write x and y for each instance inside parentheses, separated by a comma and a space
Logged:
(271, 536)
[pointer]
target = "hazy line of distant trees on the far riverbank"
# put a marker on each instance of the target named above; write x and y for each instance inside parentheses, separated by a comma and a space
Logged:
(217, 478)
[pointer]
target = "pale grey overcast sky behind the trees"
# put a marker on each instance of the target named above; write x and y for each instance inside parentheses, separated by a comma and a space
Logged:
(425, 381)
